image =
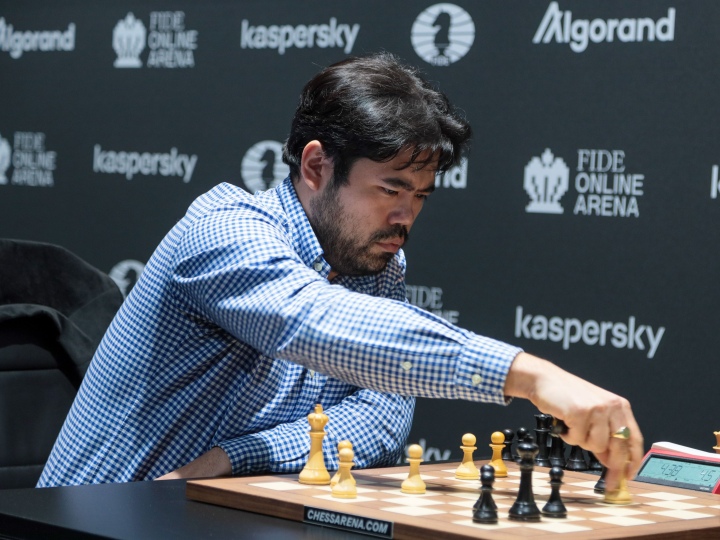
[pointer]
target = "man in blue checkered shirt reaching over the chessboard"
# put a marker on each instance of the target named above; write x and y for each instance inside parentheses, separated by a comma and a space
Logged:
(254, 308)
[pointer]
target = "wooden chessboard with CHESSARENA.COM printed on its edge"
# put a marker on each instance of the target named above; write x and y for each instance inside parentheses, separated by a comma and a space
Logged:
(446, 509)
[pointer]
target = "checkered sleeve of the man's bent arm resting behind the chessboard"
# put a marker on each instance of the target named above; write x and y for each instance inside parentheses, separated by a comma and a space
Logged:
(377, 424)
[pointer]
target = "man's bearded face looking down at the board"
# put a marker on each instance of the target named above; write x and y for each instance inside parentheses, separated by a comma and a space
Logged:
(363, 223)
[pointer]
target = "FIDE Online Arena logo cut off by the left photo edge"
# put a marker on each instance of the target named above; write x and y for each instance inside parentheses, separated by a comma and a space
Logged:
(33, 164)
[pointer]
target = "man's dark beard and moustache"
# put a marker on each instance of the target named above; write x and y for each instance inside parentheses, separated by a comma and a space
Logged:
(343, 249)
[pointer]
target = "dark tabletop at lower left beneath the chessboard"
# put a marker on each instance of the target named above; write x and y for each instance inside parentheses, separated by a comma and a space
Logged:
(138, 510)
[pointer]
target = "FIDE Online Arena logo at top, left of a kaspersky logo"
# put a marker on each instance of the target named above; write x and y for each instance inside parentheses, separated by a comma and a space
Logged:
(171, 44)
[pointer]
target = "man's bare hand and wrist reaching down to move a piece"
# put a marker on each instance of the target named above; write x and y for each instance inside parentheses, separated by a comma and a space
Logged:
(591, 413)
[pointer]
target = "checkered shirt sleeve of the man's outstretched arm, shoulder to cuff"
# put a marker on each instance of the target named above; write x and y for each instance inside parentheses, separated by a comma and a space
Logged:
(249, 279)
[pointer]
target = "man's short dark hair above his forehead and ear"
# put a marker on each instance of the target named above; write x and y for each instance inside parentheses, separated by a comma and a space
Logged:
(375, 107)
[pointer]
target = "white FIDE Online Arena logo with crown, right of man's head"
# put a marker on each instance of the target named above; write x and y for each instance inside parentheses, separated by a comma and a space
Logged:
(604, 187)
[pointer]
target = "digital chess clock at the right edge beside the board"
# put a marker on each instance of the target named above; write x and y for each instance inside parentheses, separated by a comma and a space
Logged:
(671, 467)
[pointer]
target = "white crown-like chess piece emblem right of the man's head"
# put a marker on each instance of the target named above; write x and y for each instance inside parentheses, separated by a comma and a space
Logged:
(546, 181)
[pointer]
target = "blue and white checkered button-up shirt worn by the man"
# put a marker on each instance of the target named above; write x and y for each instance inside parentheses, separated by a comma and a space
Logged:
(233, 334)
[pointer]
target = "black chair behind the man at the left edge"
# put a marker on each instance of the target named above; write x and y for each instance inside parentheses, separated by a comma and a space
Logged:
(54, 310)
